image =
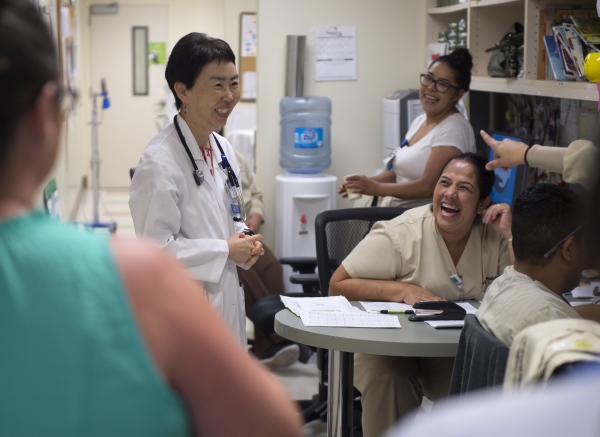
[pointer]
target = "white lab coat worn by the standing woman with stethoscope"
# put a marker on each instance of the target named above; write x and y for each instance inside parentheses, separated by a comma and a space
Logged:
(189, 221)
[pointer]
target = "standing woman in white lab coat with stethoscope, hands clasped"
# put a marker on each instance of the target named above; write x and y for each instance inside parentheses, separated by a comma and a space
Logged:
(183, 194)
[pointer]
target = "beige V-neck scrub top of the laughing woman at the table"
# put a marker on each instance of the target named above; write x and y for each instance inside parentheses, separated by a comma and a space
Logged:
(410, 249)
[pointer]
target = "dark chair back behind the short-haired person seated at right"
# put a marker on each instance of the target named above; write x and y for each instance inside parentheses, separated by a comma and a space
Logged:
(480, 361)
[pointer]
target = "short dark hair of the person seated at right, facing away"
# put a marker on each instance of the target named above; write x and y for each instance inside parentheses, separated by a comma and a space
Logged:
(542, 216)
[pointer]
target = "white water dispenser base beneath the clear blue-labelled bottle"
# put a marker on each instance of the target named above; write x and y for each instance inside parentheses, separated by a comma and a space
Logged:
(300, 198)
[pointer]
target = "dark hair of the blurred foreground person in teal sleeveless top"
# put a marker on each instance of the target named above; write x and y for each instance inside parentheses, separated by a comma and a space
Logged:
(27, 62)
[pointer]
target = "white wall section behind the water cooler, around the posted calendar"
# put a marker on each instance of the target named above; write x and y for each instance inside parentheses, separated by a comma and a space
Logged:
(390, 41)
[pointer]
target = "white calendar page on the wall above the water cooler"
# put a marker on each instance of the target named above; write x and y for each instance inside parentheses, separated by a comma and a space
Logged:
(335, 53)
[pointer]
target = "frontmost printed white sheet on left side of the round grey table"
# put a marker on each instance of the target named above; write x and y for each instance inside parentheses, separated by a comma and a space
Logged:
(353, 320)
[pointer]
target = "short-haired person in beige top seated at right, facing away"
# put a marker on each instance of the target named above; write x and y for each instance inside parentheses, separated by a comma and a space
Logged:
(548, 230)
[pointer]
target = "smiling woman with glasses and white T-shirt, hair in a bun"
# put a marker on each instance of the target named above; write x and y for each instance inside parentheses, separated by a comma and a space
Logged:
(413, 168)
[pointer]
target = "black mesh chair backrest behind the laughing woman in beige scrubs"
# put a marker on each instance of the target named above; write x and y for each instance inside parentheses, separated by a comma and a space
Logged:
(337, 233)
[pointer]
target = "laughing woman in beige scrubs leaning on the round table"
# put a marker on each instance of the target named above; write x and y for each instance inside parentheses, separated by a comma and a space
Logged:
(451, 249)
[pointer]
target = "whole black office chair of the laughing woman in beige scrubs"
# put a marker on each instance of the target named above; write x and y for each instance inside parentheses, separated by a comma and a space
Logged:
(337, 232)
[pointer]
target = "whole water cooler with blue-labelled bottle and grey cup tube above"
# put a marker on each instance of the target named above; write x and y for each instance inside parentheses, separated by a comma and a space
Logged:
(305, 153)
